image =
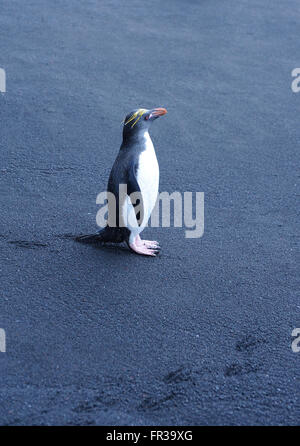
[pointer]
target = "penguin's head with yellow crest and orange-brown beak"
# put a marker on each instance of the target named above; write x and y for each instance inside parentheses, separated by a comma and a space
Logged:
(140, 120)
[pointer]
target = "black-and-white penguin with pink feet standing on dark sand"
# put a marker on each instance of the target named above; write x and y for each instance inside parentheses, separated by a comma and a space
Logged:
(135, 168)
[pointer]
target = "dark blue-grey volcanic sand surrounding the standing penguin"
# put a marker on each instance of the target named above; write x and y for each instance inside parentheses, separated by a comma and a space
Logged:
(201, 334)
